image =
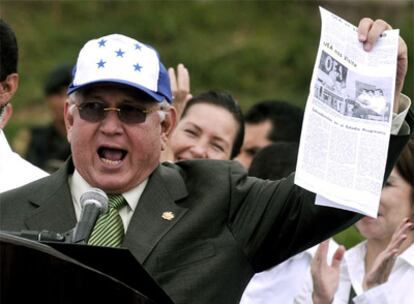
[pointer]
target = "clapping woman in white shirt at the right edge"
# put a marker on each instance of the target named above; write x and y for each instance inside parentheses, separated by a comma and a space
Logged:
(381, 268)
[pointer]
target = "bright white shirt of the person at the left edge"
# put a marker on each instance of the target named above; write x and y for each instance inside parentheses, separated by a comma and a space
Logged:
(14, 170)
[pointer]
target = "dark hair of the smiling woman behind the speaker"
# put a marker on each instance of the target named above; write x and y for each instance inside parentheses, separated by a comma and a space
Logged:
(226, 101)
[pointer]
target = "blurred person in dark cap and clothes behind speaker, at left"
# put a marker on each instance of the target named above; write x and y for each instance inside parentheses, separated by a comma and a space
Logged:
(48, 147)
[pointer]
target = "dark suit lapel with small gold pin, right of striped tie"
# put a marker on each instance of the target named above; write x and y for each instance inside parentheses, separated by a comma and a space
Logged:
(156, 212)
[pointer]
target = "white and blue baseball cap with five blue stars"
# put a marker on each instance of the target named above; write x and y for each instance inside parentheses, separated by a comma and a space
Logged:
(120, 59)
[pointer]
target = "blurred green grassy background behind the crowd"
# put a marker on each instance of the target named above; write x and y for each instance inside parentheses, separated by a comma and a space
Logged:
(254, 49)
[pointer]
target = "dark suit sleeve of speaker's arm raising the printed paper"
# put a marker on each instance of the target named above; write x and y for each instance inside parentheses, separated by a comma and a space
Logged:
(272, 221)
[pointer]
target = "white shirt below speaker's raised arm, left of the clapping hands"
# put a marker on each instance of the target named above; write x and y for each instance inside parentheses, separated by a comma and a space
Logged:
(283, 282)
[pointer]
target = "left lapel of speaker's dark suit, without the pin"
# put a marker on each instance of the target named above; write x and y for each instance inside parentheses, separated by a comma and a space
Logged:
(55, 210)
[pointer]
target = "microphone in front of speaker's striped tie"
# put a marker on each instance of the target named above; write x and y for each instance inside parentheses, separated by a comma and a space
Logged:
(94, 202)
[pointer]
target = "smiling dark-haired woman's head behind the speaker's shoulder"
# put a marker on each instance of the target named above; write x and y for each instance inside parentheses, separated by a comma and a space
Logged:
(211, 126)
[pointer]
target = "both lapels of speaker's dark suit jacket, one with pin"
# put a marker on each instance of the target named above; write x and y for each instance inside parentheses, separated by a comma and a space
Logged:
(154, 216)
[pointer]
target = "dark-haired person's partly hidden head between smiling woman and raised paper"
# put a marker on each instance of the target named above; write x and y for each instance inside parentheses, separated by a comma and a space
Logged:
(267, 122)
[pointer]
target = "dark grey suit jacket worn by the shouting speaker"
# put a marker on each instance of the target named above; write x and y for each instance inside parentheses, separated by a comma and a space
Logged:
(226, 226)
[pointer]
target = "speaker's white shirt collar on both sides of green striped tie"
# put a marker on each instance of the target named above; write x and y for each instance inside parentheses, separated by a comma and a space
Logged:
(78, 186)
